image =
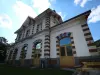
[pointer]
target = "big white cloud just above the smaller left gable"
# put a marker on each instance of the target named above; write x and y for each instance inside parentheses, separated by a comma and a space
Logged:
(23, 10)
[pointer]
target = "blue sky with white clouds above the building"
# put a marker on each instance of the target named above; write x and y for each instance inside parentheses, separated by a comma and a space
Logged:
(14, 12)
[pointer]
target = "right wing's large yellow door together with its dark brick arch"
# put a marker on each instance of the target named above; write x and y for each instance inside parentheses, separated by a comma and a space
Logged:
(65, 49)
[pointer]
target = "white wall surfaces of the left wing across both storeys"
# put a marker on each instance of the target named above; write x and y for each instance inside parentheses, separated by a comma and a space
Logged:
(30, 41)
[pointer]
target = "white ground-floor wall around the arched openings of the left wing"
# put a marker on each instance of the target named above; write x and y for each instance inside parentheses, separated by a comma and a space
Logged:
(30, 44)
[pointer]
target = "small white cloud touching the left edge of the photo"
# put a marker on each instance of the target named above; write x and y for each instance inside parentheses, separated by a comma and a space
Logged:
(5, 21)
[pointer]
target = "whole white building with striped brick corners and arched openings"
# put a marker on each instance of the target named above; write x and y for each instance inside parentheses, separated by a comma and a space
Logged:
(47, 41)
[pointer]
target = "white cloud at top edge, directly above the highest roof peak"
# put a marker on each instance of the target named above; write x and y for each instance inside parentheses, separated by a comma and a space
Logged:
(41, 5)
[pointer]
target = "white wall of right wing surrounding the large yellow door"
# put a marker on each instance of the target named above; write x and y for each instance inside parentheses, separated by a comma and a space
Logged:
(78, 36)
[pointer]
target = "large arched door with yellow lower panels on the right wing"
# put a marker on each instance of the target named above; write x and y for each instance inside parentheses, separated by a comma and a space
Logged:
(66, 55)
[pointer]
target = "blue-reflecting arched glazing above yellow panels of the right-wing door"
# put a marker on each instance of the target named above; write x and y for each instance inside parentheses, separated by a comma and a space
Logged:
(65, 47)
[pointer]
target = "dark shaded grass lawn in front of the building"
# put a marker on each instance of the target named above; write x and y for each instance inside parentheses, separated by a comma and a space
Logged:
(5, 70)
